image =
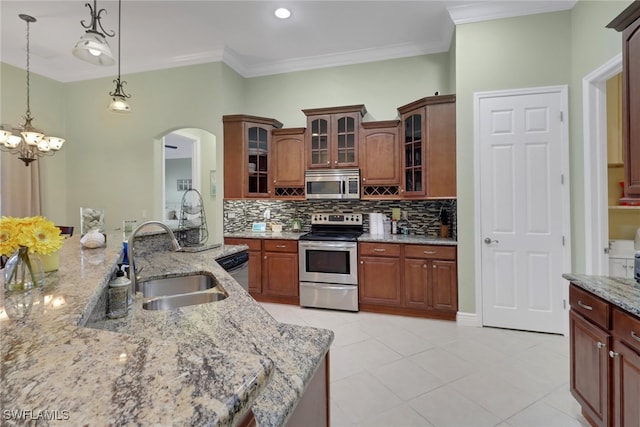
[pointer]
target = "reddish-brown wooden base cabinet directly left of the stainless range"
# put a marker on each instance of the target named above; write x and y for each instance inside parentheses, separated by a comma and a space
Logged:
(280, 270)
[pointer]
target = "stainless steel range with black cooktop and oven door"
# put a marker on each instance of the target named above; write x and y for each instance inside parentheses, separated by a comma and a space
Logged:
(328, 257)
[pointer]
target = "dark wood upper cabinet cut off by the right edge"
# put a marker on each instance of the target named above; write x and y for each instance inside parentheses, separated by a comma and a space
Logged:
(628, 23)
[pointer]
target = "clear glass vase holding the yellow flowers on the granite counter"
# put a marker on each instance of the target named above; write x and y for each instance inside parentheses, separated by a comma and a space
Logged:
(23, 270)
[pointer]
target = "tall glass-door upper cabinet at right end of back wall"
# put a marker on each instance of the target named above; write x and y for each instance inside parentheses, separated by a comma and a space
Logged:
(429, 147)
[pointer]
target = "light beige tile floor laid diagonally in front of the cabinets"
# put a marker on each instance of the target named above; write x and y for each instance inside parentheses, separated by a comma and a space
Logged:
(397, 371)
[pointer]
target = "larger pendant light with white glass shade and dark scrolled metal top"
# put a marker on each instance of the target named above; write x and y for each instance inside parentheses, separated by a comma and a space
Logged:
(92, 46)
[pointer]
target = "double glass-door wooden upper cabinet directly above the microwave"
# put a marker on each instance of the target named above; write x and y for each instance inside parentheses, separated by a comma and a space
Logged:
(332, 136)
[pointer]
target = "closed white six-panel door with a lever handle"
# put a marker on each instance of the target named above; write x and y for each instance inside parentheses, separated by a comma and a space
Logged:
(522, 142)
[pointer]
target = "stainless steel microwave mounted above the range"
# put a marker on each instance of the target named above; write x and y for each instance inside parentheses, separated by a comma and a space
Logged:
(332, 184)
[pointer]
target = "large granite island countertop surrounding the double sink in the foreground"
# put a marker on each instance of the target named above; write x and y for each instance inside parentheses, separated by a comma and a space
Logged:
(205, 364)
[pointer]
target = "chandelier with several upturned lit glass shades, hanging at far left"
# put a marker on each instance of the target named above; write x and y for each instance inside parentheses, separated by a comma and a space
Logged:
(27, 142)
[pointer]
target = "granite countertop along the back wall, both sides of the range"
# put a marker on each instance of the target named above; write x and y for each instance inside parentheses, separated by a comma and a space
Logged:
(366, 237)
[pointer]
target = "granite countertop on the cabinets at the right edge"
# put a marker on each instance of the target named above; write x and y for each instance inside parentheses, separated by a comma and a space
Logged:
(621, 292)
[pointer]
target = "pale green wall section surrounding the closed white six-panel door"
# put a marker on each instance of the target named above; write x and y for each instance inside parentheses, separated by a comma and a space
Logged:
(539, 50)
